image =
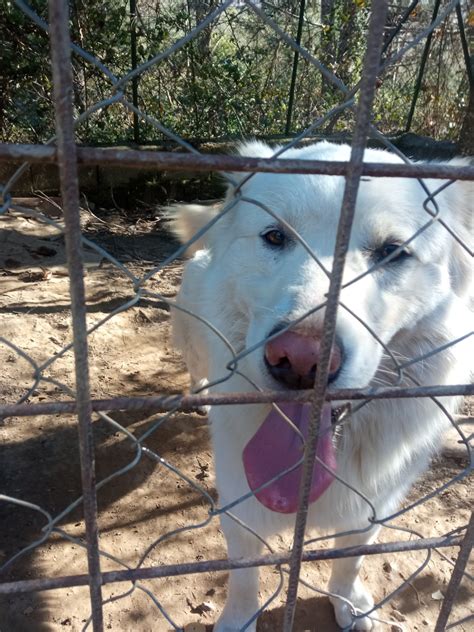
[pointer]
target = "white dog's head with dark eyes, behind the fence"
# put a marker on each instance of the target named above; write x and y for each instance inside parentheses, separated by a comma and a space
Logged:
(271, 257)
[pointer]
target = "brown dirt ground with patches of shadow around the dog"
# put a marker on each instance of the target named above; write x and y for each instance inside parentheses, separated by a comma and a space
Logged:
(131, 354)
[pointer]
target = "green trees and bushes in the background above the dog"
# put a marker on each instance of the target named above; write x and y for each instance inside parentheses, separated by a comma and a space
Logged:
(233, 80)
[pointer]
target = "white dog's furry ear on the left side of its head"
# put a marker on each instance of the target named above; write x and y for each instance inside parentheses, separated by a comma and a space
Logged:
(185, 220)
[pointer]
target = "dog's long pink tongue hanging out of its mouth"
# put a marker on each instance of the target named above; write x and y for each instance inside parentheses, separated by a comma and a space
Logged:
(276, 447)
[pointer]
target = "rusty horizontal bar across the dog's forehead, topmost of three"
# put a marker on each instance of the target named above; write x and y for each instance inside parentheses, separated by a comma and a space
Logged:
(171, 161)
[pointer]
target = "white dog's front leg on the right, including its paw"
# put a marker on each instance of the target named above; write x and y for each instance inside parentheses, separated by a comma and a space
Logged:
(345, 581)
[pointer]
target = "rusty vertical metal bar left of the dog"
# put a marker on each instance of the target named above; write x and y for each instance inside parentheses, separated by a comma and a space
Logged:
(66, 149)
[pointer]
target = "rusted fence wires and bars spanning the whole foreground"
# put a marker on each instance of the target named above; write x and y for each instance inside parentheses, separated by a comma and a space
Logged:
(68, 156)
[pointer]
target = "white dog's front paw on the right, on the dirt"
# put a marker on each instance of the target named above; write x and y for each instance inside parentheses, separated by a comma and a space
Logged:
(360, 601)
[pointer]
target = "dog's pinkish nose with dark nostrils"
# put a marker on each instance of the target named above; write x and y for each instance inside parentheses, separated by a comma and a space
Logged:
(292, 358)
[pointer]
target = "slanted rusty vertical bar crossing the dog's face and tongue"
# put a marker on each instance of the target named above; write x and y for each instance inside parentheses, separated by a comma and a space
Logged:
(354, 174)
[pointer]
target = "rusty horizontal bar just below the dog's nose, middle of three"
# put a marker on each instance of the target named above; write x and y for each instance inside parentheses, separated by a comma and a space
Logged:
(163, 403)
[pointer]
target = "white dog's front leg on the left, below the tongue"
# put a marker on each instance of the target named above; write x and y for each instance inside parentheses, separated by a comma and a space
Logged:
(242, 592)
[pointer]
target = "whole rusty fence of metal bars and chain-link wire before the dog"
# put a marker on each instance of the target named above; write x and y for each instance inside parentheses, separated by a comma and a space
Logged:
(356, 100)
